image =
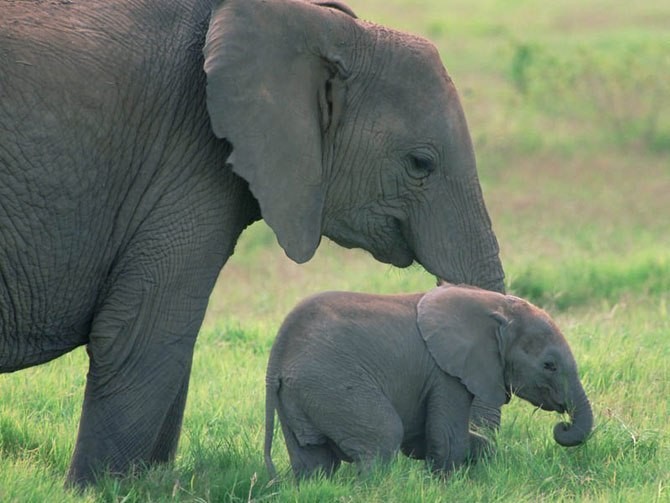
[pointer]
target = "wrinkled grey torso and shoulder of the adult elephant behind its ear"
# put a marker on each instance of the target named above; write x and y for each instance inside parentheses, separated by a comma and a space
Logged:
(99, 139)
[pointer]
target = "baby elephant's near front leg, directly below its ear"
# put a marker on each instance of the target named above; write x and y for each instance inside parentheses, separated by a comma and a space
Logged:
(448, 438)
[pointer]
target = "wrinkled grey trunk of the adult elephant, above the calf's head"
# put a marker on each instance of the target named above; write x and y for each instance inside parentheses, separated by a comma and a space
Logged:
(450, 231)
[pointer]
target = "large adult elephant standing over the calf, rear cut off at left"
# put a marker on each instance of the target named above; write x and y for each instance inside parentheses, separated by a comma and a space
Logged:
(127, 174)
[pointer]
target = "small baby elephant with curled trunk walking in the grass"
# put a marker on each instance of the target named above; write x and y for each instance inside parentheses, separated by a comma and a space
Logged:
(355, 377)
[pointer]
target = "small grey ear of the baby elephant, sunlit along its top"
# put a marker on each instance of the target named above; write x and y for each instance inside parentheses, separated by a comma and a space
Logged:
(461, 329)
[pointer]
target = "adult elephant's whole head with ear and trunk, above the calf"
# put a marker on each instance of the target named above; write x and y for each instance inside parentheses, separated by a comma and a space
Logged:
(349, 130)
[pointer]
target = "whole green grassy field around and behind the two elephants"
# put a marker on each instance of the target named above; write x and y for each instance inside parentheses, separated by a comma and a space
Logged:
(569, 107)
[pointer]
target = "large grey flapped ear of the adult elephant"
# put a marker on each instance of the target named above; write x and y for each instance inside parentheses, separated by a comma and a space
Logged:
(273, 81)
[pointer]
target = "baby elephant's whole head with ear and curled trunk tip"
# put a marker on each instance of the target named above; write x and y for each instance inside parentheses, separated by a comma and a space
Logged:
(497, 344)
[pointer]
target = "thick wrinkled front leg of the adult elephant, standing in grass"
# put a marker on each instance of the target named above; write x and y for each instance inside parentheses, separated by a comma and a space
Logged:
(140, 350)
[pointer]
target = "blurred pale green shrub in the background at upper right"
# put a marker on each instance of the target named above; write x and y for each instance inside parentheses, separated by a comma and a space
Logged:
(620, 88)
